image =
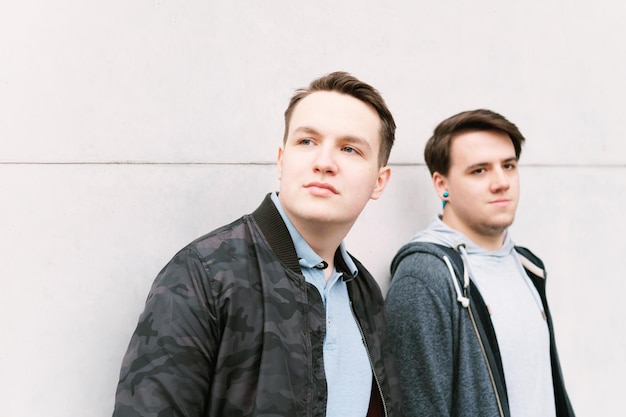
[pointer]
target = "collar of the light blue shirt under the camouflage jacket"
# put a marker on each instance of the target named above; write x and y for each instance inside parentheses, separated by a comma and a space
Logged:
(307, 256)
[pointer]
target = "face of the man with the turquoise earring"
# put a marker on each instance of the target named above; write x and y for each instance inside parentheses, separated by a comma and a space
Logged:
(483, 183)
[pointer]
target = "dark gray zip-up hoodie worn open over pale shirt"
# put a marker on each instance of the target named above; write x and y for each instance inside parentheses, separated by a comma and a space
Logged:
(442, 336)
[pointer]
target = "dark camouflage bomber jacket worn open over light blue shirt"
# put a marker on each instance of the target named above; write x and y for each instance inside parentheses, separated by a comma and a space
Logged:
(231, 328)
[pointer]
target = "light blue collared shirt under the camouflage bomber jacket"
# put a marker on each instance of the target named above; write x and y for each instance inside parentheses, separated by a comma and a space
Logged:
(346, 362)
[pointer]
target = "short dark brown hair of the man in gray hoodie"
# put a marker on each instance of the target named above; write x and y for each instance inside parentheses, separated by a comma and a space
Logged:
(437, 150)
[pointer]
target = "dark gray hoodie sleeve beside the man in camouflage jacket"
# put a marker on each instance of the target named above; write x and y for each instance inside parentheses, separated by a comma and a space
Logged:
(420, 326)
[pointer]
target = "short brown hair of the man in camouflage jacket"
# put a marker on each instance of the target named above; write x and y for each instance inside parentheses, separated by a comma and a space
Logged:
(344, 83)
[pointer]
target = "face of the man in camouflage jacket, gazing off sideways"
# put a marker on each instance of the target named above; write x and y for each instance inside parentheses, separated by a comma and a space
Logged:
(328, 168)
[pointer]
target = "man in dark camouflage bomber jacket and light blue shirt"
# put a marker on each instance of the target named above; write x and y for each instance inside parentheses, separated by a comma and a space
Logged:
(270, 315)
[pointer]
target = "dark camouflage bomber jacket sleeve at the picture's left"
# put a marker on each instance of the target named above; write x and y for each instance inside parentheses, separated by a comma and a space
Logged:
(170, 359)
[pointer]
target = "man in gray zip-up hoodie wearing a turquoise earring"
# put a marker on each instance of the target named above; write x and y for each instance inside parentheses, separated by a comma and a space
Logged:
(468, 318)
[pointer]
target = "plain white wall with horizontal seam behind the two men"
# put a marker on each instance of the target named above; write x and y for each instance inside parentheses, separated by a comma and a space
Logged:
(128, 128)
